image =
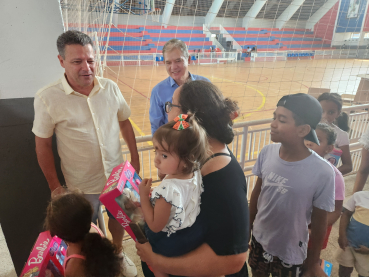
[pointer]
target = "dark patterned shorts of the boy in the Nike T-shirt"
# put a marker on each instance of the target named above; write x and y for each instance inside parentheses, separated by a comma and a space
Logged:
(263, 264)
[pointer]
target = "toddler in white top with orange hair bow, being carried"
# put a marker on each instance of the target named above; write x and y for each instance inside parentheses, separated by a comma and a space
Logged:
(181, 147)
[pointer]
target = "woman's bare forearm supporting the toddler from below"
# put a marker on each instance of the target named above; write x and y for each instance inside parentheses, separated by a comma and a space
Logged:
(201, 262)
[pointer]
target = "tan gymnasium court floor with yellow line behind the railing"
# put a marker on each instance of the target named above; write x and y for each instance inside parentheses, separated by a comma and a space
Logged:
(256, 86)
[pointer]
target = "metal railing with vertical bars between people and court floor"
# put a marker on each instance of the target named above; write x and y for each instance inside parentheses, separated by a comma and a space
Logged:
(252, 136)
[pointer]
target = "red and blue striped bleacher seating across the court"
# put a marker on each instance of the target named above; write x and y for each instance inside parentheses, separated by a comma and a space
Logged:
(133, 39)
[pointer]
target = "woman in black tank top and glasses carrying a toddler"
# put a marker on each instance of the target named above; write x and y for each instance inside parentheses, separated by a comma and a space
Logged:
(221, 228)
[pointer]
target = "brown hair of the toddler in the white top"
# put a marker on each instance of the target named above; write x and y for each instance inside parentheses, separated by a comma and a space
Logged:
(190, 145)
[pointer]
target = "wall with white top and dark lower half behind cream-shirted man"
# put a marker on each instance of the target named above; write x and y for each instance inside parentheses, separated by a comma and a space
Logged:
(28, 61)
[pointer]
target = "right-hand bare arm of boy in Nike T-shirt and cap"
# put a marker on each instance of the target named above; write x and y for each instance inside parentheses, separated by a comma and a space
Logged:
(318, 232)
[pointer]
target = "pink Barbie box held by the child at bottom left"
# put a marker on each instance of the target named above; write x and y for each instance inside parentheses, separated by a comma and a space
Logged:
(47, 257)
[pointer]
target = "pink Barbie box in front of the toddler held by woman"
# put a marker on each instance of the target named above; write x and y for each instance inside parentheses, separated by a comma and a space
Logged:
(121, 196)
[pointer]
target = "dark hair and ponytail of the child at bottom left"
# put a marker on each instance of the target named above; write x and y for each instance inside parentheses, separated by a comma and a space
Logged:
(69, 217)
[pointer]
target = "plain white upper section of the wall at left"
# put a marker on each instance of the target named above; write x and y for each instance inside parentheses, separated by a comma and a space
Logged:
(28, 54)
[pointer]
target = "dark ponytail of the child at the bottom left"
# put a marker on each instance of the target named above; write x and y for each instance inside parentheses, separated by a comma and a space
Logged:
(101, 256)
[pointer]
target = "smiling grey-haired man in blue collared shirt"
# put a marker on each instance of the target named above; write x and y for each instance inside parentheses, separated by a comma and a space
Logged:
(176, 59)
